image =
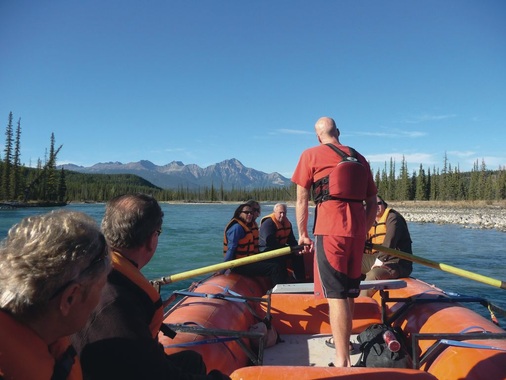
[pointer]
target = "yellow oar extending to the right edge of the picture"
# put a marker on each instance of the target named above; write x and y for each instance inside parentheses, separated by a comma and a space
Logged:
(444, 267)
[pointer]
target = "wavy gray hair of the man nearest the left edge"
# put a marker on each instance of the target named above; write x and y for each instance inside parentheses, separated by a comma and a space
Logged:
(44, 254)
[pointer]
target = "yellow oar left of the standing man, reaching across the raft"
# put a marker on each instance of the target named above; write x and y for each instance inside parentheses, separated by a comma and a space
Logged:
(226, 265)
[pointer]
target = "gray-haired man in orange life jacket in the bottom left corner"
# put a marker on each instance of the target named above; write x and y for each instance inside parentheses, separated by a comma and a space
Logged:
(52, 270)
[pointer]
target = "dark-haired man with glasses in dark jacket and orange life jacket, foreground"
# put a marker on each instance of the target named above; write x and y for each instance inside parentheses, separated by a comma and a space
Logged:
(120, 340)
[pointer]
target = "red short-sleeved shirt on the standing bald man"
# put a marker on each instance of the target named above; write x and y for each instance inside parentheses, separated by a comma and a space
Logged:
(333, 217)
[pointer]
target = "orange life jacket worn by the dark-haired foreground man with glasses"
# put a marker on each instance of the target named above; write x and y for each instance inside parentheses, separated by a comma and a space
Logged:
(129, 270)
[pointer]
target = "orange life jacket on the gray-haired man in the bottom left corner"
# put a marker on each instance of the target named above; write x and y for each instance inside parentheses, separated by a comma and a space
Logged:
(24, 355)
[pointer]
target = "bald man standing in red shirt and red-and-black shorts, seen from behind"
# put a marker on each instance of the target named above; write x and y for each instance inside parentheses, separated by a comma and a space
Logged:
(341, 182)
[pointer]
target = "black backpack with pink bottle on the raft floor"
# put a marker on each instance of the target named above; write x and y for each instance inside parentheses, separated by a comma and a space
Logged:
(374, 350)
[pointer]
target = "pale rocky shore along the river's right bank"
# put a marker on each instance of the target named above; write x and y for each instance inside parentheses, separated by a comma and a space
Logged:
(468, 214)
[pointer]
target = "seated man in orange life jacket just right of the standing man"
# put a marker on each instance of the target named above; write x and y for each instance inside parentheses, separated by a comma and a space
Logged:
(391, 231)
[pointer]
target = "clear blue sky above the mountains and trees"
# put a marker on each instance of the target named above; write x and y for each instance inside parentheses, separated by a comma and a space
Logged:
(205, 81)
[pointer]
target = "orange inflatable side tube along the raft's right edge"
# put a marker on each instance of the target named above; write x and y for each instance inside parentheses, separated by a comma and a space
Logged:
(450, 317)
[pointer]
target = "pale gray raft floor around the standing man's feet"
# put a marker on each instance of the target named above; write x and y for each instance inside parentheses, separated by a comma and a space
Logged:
(304, 350)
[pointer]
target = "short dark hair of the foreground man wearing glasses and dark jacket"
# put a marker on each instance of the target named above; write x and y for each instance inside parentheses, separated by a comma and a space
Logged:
(130, 219)
